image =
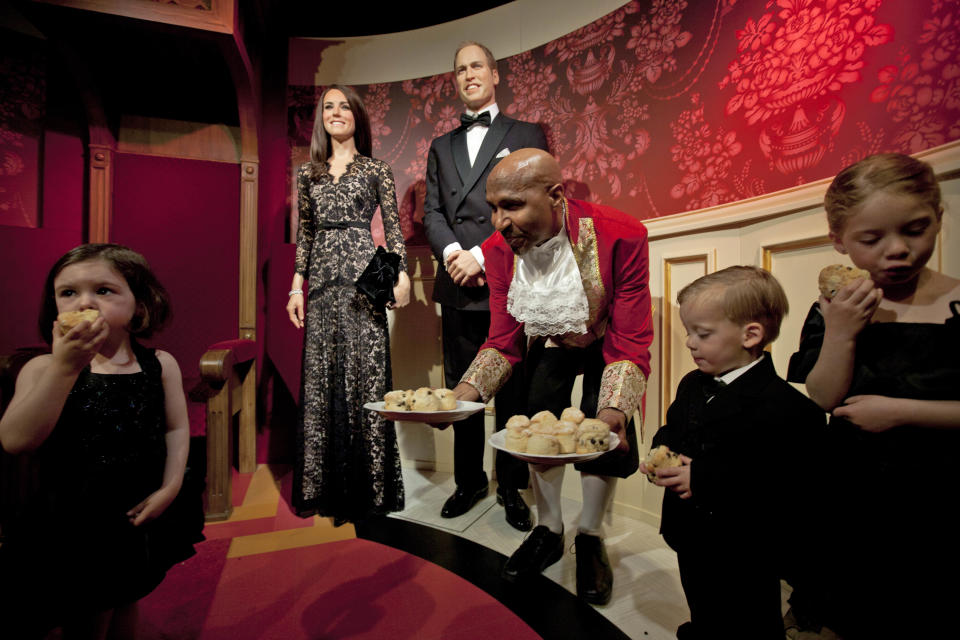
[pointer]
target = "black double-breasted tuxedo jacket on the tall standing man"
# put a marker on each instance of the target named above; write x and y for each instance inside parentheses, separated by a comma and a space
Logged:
(455, 208)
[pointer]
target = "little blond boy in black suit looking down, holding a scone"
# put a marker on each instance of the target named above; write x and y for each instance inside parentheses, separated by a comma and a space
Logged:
(745, 439)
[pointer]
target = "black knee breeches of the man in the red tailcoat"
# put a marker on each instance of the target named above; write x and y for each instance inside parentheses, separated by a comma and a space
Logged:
(550, 373)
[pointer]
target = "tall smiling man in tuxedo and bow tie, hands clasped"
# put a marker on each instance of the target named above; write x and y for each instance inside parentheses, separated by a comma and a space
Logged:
(457, 220)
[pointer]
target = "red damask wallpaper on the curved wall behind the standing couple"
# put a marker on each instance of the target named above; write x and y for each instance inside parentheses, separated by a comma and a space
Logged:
(664, 106)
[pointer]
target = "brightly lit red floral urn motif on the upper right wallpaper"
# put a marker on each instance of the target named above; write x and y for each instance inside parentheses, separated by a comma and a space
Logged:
(792, 66)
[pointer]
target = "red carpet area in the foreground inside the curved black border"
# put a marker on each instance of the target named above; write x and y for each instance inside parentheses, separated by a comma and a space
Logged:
(347, 589)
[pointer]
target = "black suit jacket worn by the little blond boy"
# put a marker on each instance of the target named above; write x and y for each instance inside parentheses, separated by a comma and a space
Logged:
(754, 451)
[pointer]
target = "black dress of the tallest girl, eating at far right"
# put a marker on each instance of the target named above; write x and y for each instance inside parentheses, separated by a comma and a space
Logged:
(889, 532)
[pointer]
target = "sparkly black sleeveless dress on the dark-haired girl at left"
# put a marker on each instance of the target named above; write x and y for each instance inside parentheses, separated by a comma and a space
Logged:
(74, 549)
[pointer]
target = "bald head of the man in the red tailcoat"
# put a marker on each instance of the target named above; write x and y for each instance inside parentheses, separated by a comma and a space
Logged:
(525, 193)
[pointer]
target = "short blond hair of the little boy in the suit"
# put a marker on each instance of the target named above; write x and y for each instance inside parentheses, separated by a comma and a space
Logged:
(746, 294)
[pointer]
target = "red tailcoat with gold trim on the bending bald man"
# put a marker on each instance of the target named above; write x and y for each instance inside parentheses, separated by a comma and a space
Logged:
(610, 249)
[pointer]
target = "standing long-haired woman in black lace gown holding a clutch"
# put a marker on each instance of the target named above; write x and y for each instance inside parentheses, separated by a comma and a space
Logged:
(348, 462)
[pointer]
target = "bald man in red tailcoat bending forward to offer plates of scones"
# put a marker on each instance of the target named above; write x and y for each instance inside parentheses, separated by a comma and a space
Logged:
(568, 280)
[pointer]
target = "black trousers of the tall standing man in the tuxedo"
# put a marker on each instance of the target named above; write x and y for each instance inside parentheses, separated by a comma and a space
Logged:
(463, 333)
